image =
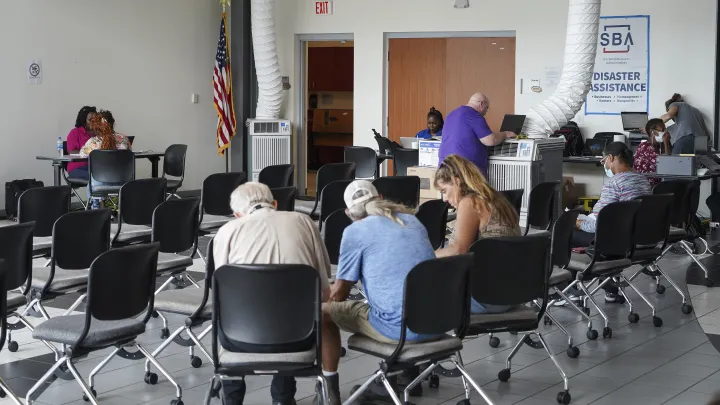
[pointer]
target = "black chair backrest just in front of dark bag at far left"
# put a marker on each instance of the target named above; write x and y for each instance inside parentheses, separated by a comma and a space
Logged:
(44, 205)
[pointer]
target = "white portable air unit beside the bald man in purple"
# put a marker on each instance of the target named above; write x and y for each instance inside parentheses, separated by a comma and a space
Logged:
(522, 164)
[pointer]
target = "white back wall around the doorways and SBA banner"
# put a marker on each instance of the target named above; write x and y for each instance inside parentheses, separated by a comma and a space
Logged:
(682, 43)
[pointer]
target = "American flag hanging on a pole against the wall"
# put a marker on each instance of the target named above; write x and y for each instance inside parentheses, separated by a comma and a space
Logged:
(222, 86)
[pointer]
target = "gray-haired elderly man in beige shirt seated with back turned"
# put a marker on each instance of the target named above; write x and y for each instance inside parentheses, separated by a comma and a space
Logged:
(256, 236)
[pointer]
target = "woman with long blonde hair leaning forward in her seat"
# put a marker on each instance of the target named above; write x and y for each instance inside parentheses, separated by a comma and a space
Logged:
(482, 212)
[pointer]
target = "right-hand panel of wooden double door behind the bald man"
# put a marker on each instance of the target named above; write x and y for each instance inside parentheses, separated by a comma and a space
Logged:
(485, 65)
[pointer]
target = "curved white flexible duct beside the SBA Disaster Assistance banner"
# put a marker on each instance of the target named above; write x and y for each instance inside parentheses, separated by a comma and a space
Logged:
(576, 79)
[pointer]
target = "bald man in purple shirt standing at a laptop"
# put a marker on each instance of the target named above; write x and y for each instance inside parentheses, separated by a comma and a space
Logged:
(467, 134)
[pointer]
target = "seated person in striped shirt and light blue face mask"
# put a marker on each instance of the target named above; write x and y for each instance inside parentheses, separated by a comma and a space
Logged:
(623, 185)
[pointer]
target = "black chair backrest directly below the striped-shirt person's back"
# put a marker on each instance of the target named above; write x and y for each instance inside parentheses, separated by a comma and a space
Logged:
(652, 224)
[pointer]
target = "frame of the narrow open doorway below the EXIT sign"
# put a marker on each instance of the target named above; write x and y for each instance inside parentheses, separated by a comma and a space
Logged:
(300, 110)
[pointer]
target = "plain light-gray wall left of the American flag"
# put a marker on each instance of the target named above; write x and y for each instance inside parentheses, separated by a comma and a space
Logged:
(141, 59)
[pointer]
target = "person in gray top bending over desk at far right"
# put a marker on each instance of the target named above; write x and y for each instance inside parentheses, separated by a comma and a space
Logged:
(689, 123)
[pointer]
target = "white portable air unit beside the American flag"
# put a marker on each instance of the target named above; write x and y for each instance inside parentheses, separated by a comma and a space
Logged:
(270, 144)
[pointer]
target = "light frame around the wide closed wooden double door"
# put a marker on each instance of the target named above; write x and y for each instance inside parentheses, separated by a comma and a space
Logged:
(387, 36)
